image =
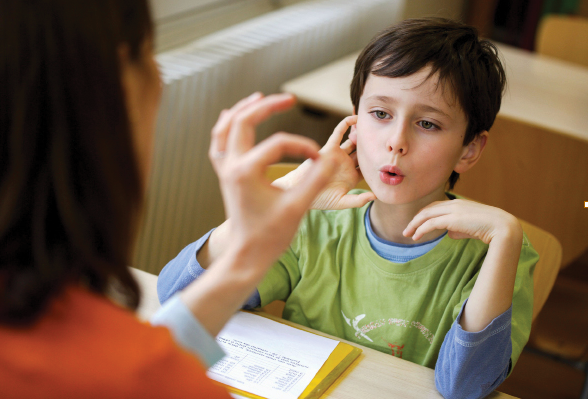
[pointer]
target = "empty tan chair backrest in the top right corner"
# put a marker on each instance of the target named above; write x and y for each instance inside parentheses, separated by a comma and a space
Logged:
(564, 37)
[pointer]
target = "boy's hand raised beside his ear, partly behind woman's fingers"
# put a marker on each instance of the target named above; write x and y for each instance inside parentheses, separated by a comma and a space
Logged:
(344, 178)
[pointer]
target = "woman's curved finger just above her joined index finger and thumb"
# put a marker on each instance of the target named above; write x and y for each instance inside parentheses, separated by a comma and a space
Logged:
(242, 131)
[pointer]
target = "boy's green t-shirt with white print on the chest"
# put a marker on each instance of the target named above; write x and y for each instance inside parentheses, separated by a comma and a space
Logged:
(333, 281)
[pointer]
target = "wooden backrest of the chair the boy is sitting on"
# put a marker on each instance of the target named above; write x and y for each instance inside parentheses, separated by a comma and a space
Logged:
(546, 245)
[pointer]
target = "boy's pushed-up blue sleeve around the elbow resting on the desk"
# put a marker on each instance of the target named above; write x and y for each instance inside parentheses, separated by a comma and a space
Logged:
(473, 364)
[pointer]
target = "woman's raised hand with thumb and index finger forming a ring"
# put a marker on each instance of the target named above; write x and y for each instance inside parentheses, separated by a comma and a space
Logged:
(263, 217)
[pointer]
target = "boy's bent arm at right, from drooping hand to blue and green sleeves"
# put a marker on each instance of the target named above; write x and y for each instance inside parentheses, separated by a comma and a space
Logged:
(474, 360)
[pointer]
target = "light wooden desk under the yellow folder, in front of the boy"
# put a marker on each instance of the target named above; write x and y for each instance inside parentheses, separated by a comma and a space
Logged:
(373, 375)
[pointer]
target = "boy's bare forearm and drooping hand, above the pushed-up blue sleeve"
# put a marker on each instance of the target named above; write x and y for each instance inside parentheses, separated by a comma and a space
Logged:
(493, 291)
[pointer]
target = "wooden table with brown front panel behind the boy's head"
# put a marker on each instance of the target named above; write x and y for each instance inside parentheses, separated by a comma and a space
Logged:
(535, 164)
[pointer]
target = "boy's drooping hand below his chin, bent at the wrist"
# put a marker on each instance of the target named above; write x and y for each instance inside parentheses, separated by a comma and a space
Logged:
(464, 219)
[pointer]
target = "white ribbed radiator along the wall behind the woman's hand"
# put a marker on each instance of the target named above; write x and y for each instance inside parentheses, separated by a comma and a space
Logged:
(212, 73)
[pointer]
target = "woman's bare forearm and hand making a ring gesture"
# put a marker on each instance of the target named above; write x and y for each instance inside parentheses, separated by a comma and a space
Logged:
(263, 218)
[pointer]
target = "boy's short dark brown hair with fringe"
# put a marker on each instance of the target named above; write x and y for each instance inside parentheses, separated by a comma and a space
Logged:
(468, 66)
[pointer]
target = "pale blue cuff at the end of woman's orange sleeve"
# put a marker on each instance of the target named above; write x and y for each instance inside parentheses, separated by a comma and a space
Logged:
(187, 331)
